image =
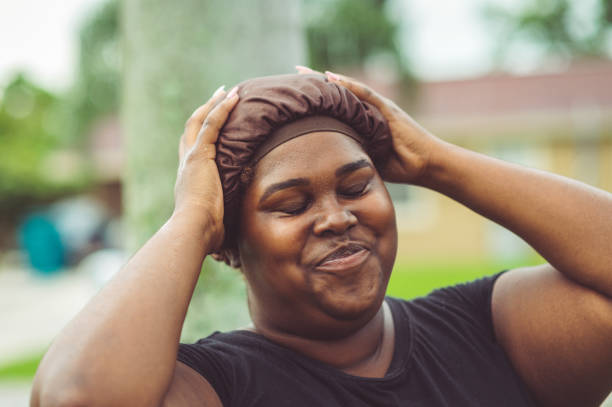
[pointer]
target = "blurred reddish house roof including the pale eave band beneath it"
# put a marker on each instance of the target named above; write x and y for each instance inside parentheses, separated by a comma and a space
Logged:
(573, 102)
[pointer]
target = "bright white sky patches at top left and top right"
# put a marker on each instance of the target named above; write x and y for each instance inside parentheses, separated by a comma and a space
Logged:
(447, 38)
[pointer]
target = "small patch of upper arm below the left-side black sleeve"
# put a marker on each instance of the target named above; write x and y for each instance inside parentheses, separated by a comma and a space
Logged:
(189, 388)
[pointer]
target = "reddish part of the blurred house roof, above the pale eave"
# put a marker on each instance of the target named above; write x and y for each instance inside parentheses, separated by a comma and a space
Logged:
(587, 84)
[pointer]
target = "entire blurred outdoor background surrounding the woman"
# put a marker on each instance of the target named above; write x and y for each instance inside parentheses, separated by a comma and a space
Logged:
(94, 95)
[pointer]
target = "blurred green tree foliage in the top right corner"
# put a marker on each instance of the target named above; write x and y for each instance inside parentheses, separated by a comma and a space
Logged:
(560, 27)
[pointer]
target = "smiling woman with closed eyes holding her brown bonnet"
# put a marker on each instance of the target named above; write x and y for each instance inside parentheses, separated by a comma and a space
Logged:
(310, 224)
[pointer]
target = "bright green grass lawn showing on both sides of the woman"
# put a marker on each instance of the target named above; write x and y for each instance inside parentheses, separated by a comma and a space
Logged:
(408, 280)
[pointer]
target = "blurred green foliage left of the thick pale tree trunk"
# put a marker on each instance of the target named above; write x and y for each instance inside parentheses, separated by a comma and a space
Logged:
(38, 127)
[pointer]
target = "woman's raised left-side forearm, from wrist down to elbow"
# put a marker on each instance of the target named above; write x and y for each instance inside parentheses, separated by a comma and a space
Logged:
(121, 348)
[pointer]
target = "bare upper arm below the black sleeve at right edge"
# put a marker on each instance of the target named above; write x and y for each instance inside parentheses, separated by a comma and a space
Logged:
(557, 334)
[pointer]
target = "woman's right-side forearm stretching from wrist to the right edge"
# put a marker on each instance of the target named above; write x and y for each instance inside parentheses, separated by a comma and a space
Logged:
(567, 222)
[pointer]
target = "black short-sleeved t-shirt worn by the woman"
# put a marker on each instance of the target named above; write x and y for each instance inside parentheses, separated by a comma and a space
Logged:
(445, 355)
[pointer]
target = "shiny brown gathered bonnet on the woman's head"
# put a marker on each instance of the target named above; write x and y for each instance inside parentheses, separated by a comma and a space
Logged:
(275, 109)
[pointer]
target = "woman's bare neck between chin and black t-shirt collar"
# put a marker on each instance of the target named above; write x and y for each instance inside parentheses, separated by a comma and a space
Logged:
(366, 352)
